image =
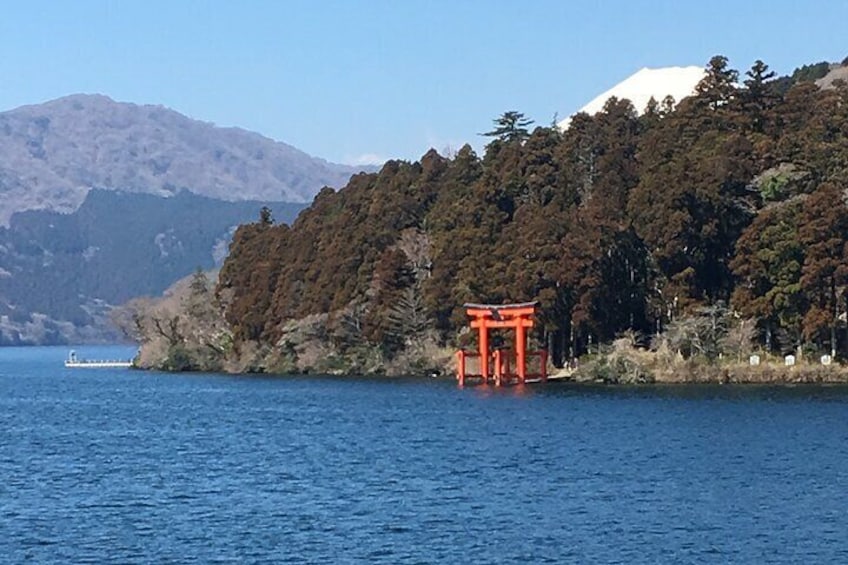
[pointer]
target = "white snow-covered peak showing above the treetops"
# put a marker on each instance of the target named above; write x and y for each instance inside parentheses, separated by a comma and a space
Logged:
(678, 82)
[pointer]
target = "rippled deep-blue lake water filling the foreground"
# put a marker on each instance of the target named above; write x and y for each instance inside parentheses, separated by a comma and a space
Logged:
(135, 467)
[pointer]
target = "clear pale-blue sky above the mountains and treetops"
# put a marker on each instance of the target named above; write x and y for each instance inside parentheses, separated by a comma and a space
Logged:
(390, 78)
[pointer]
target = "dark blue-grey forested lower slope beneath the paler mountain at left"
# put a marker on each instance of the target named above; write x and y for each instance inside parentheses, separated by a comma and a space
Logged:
(61, 273)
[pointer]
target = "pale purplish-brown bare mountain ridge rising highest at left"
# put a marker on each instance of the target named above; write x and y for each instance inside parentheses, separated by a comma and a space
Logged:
(52, 154)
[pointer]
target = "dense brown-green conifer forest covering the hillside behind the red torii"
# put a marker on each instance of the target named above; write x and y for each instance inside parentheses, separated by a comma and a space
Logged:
(722, 215)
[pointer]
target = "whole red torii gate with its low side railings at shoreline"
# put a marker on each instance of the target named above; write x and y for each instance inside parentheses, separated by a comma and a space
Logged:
(498, 316)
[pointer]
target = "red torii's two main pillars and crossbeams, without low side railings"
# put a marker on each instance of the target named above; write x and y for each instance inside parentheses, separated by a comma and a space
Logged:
(497, 316)
